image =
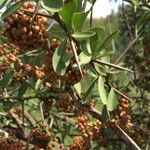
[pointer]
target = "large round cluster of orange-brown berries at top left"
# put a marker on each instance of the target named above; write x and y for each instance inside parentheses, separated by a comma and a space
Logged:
(26, 31)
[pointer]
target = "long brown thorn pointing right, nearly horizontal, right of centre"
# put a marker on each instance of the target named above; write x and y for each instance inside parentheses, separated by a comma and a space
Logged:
(112, 65)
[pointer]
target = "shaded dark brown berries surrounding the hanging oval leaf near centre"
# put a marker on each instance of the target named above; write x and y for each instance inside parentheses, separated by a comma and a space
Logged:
(72, 75)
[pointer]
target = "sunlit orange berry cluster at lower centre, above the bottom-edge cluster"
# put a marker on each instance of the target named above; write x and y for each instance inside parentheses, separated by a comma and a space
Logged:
(89, 129)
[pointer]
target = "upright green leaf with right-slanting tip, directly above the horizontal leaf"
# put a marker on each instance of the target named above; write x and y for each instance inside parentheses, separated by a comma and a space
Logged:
(78, 20)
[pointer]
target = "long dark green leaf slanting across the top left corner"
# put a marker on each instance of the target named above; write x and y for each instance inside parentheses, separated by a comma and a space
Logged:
(12, 9)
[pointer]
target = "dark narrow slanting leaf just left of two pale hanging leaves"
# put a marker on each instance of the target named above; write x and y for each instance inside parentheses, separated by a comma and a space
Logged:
(87, 93)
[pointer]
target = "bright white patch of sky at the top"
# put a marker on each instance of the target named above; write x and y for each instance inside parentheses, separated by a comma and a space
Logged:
(102, 8)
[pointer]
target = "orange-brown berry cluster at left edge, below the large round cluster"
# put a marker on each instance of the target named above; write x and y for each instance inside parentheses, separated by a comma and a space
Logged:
(10, 61)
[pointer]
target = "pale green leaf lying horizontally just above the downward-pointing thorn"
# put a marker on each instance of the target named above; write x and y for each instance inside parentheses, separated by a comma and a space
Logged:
(81, 36)
